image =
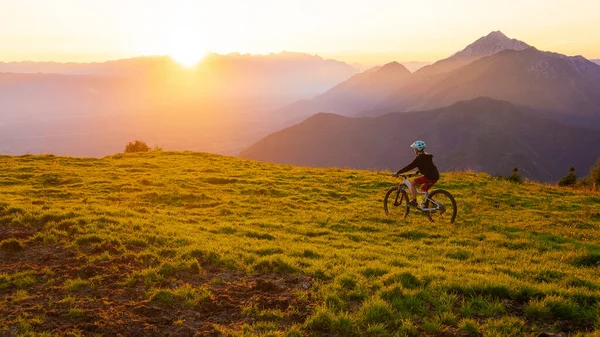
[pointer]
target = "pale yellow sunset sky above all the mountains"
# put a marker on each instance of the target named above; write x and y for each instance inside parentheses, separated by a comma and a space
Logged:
(350, 30)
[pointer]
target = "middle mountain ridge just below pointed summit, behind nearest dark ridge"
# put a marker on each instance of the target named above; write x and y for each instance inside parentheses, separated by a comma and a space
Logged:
(543, 80)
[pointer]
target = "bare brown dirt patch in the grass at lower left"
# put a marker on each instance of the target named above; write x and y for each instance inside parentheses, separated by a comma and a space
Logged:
(68, 293)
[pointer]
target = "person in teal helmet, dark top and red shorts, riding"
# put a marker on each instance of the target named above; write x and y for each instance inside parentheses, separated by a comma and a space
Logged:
(424, 164)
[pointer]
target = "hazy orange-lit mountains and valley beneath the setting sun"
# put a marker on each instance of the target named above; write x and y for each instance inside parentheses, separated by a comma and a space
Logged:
(93, 109)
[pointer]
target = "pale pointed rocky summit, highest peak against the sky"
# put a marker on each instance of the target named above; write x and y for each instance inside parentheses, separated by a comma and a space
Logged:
(490, 44)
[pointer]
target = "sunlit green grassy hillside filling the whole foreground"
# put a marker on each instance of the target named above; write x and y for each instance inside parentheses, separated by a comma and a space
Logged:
(188, 243)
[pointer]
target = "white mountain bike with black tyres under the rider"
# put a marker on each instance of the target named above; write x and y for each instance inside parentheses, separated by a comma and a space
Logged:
(438, 205)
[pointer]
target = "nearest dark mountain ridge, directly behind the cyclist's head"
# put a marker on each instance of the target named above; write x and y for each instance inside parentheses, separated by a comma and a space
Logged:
(482, 134)
